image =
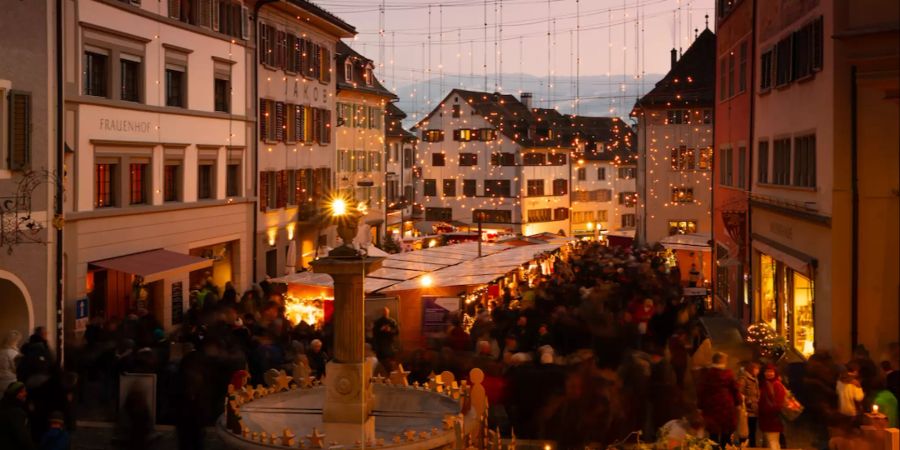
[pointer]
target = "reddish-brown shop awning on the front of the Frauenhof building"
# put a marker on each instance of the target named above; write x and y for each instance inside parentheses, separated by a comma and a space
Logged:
(155, 264)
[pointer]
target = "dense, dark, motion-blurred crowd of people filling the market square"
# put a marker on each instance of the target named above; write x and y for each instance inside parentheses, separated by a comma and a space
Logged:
(602, 349)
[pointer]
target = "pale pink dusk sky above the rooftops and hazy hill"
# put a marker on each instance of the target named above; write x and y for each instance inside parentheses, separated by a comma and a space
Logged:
(613, 38)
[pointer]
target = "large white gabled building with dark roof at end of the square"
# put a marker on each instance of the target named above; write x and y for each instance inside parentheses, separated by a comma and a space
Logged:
(490, 158)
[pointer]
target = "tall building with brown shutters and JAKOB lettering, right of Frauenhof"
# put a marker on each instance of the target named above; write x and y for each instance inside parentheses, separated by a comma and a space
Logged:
(296, 90)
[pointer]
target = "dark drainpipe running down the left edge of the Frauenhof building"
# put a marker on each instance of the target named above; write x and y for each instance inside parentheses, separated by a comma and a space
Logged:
(58, 203)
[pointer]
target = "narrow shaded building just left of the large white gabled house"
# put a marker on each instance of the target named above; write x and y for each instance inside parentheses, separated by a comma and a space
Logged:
(399, 175)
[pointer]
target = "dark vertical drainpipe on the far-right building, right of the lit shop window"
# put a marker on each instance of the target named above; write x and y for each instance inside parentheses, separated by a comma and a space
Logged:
(854, 227)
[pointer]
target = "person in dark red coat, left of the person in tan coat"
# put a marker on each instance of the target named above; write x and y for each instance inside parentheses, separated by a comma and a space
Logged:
(717, 397)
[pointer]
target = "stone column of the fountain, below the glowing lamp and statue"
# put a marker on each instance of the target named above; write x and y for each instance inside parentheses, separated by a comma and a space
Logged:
(348, 398)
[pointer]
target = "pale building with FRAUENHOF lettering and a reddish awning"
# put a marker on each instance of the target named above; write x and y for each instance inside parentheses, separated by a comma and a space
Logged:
(158, 161)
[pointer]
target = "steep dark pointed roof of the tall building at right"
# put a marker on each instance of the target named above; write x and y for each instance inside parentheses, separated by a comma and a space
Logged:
(692, 80)
